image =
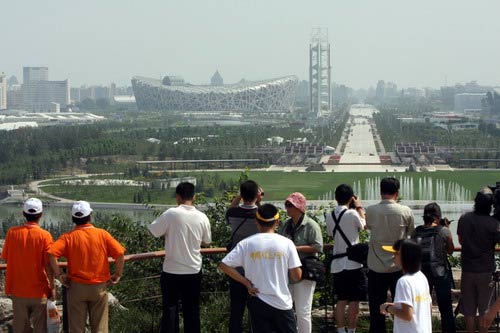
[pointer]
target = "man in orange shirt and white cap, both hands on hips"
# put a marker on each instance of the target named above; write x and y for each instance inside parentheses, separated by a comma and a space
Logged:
(86, 249)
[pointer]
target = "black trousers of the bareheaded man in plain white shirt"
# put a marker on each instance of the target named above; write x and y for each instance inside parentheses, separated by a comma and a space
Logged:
(186, 288)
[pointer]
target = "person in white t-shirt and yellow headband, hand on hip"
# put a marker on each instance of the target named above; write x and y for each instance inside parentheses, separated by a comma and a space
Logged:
(268, 259)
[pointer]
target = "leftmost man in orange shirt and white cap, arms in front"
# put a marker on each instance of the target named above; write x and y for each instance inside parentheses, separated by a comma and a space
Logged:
(28, 279)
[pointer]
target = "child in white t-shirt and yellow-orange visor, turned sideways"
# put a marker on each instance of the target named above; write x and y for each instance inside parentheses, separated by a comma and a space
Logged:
(412, 301)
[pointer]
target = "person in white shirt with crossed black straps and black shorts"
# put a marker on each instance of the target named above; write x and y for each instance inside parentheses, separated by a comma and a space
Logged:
(349, 280)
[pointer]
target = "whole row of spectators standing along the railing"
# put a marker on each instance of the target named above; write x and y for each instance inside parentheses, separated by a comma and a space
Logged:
(272, 266)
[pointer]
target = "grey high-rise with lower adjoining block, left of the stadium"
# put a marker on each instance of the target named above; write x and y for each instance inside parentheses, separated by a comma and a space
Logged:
(39, 92)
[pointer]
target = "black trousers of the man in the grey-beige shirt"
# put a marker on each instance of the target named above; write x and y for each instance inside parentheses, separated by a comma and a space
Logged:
(378, 284)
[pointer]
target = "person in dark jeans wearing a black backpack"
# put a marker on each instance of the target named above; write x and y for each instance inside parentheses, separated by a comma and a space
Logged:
(437, 243)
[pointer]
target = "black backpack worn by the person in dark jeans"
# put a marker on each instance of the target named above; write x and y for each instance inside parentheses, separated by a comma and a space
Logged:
(434, 254)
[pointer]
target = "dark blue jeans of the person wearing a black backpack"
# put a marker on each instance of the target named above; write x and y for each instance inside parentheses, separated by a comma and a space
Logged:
(442, 286)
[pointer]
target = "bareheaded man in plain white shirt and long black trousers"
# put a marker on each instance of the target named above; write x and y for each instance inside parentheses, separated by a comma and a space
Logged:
(185, 230)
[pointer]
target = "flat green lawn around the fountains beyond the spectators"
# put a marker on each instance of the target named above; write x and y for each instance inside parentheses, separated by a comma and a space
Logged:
(277, 185)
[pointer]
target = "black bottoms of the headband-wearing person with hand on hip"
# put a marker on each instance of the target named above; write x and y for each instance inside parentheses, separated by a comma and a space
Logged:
(267, 319)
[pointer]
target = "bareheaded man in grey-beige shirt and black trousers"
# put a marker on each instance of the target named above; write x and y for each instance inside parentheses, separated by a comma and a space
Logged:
(387, 221)
